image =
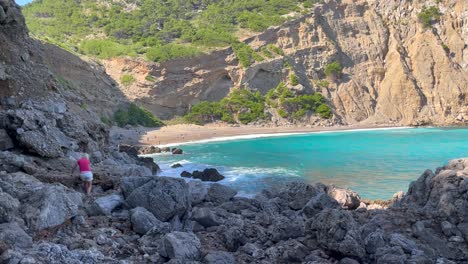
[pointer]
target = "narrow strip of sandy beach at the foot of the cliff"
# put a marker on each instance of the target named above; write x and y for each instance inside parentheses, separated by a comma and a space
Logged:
(183, 133)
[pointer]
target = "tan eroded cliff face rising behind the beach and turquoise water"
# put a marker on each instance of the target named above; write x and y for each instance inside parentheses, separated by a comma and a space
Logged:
(395, 70)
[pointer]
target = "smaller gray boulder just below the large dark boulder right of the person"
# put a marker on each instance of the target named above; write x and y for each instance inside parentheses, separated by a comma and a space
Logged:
(143, 221)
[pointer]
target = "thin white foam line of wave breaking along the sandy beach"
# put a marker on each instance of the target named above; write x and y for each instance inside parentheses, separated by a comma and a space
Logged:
(253, 136)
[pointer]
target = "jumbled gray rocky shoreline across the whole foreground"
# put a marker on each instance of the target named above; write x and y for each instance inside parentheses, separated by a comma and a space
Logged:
(136, 217)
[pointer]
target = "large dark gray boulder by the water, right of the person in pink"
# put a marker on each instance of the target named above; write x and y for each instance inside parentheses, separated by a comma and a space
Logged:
(163, 196)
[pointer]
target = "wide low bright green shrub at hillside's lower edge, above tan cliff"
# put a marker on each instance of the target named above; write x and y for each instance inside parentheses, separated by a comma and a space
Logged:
(171, 51)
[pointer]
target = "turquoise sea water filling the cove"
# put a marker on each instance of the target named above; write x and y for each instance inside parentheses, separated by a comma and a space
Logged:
(375, 163)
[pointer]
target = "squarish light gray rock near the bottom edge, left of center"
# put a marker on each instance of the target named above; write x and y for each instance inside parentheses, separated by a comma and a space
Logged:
(181, 245)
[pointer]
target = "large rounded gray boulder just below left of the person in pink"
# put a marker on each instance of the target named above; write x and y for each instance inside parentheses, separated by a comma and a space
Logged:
(50, 206)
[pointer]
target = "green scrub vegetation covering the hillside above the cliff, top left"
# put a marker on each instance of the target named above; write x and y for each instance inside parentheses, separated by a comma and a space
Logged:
(155, 28)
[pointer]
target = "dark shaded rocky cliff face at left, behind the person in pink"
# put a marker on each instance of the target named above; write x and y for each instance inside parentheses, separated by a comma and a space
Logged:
(50, 100)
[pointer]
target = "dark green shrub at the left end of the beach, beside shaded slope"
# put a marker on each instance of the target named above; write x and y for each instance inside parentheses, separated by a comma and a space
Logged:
(135, 115)
